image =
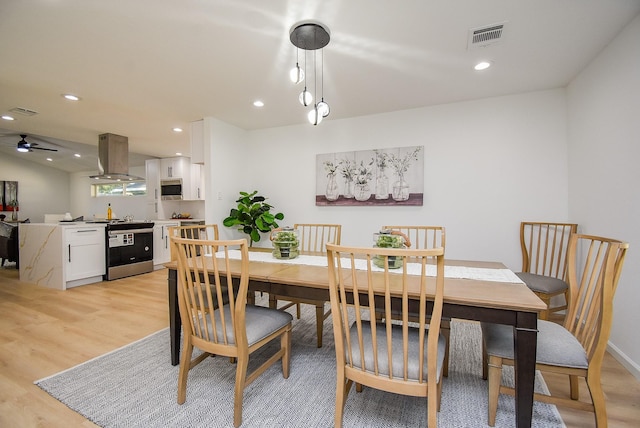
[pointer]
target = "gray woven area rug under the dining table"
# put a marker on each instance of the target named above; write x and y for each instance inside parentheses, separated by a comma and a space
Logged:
(136, 386)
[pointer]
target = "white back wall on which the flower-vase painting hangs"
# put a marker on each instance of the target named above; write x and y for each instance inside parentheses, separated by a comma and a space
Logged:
(488, 165)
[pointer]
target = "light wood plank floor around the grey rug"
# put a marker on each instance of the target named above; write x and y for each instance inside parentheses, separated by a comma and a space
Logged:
(45, 331)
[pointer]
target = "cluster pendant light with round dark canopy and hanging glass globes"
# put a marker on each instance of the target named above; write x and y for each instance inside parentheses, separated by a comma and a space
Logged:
(310, 36)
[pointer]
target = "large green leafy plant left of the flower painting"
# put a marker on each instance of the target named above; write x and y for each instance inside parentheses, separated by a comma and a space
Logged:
(252, 216)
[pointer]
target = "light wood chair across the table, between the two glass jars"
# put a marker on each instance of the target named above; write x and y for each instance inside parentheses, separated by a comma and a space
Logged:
(313, 238)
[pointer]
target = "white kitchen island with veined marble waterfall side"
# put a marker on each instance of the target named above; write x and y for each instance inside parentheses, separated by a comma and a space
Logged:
(62, 255)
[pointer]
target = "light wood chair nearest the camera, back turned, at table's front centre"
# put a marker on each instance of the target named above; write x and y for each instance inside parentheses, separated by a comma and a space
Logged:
(399, 357)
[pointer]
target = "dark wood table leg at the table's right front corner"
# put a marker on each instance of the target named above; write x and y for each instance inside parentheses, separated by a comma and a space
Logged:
(525, 343)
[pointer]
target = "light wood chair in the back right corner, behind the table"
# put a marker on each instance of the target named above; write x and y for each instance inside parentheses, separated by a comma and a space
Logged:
(544, 261)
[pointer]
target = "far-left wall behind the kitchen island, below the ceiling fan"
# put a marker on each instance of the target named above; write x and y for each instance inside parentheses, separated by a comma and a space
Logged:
(40, 189)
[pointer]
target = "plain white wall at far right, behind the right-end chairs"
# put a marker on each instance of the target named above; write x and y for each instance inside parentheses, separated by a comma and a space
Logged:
(604, 142)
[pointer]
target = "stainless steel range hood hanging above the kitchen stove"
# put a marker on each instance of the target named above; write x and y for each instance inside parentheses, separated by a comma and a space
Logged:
(113, 158)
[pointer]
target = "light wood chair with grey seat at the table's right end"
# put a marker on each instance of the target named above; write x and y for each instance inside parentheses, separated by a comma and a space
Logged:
(577, 347)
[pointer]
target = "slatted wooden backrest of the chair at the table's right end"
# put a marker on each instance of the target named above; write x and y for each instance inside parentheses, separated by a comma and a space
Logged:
(594, 267)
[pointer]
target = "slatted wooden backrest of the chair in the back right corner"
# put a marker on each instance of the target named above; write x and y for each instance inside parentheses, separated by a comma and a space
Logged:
(544, 247)
